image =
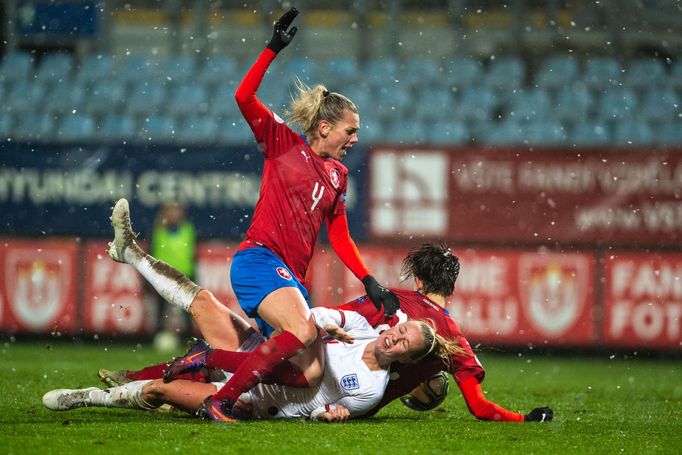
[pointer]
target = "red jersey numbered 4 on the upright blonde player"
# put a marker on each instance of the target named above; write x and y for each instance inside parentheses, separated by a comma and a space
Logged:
(299, 189)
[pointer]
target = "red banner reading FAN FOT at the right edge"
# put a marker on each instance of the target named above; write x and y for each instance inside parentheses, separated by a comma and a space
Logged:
(643, 300)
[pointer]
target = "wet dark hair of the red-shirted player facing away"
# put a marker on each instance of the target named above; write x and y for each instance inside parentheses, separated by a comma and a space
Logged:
(435, 265)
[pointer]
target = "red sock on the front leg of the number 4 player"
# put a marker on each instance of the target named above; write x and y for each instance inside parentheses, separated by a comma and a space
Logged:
(260, 363)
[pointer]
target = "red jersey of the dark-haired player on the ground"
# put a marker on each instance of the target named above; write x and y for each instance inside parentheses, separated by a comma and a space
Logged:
(405, 377)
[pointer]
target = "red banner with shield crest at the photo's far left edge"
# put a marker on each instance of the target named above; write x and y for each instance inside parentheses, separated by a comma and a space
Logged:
(38, 293)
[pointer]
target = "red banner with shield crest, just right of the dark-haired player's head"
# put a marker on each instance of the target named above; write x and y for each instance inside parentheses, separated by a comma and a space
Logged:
(517, 298)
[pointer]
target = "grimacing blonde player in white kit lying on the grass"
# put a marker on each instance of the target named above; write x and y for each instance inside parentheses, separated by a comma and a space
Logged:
(355, 377)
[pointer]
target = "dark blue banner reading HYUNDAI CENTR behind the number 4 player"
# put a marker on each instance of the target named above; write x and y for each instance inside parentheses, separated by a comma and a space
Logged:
(49, 190)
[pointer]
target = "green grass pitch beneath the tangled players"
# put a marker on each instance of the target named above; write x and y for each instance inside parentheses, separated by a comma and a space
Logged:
(602, 404)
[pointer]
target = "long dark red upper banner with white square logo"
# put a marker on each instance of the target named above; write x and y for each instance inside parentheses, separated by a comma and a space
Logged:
(519, 195)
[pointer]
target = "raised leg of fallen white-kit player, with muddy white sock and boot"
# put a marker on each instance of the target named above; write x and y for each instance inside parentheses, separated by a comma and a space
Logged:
(219, 325)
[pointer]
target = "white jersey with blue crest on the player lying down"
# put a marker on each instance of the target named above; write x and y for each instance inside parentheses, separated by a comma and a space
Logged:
(346, 381)
